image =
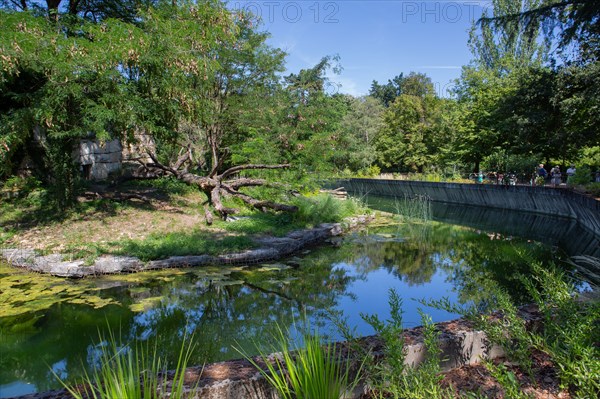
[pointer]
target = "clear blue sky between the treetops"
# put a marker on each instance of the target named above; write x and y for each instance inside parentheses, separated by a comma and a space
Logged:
(375, 39)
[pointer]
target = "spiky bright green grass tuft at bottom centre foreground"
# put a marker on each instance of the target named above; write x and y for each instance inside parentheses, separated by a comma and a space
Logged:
(311, 371)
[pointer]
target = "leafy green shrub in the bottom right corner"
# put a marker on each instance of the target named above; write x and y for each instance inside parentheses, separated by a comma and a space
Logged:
(569, 334)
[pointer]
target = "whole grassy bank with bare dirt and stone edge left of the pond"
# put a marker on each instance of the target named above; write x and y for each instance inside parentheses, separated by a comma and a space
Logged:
(155, 224)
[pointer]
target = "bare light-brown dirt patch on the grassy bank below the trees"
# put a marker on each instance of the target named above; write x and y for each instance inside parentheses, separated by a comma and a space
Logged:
(123, 214)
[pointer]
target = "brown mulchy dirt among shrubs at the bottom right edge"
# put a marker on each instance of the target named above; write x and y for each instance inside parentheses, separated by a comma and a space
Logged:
(542, 384)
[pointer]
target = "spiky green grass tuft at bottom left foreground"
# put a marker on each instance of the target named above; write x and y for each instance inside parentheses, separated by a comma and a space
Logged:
(133, 372)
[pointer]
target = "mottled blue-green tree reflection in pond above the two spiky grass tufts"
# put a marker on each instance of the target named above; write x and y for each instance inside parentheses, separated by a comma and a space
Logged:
(239, 311)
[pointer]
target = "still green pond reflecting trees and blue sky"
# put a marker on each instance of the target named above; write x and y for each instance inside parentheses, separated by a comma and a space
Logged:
(50, 325)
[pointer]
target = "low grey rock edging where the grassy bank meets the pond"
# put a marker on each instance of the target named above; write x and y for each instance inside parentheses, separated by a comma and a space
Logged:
(269, 249)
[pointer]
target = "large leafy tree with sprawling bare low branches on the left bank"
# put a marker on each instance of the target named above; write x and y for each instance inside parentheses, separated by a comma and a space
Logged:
(183, 76)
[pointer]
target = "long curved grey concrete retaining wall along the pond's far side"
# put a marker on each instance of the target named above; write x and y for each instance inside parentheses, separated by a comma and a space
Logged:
(543, 200)
